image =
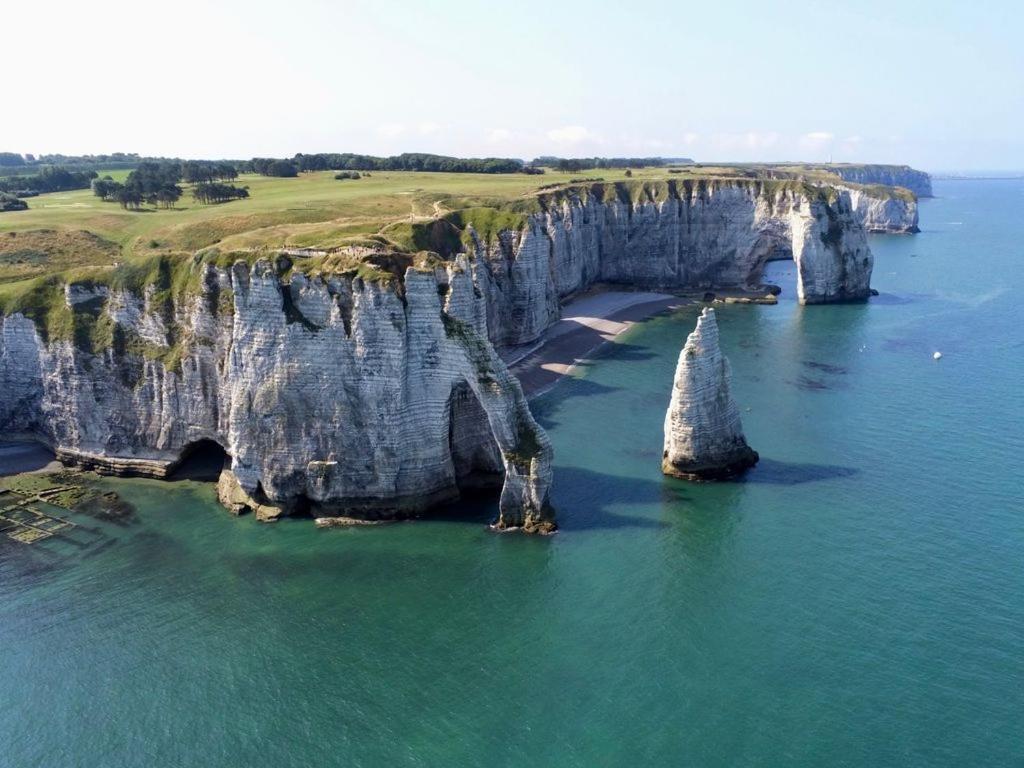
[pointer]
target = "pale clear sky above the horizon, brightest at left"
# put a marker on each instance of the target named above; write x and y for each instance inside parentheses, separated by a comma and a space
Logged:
(940, 86)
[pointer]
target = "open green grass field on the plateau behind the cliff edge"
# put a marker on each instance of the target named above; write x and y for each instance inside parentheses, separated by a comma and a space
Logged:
(76, 230)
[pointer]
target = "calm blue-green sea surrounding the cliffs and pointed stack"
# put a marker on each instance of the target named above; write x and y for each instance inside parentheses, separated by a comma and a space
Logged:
(859, 601)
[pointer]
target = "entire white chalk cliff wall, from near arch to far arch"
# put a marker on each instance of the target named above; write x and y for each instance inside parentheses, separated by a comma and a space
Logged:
(359, 398)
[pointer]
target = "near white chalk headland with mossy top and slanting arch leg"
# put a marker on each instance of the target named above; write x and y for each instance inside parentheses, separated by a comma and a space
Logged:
(329, 395)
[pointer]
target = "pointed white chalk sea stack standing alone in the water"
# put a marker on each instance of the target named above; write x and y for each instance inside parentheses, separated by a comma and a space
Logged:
(704, 440)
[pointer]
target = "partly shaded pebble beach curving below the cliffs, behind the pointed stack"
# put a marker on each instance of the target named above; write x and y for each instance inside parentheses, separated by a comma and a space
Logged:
(589, 323)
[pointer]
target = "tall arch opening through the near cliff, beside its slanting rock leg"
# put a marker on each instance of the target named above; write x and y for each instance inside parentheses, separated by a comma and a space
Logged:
(476, 456)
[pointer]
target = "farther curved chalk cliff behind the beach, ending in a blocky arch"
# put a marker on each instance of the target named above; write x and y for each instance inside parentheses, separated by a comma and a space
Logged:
(670, 236)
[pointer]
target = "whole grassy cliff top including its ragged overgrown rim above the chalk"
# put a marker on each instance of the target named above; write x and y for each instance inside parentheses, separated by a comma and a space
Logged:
(370, 228)
